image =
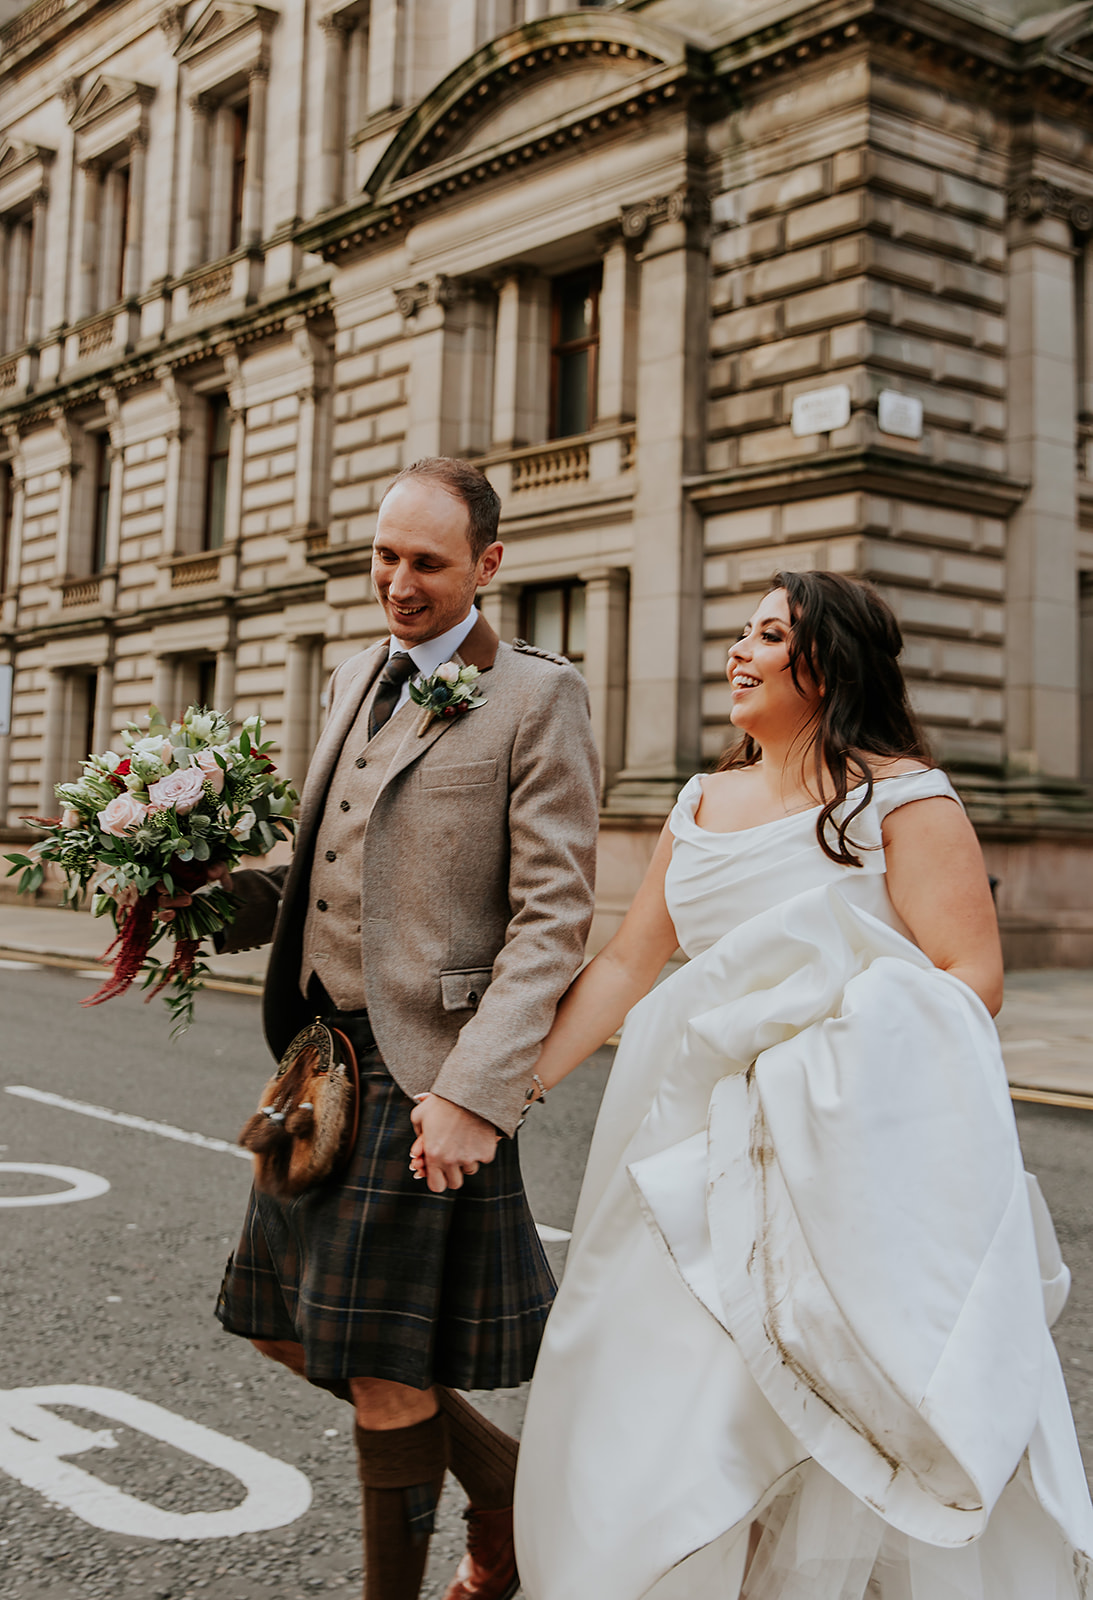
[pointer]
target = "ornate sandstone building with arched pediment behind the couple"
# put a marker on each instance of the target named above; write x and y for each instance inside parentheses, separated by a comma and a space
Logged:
(255, 258)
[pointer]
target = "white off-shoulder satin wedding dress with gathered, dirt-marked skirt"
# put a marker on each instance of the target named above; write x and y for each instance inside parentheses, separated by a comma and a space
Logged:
(811, 1282)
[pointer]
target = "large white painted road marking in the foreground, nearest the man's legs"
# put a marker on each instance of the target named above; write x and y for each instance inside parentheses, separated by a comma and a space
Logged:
(34, 1441)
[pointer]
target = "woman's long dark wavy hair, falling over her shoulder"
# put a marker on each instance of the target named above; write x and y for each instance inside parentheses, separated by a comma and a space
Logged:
(849, 641)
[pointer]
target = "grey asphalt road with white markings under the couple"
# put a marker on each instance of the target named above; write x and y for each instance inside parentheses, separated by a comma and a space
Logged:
(116, 1294)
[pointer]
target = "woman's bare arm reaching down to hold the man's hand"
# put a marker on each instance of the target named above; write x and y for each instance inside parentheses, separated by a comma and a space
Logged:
(625, 970)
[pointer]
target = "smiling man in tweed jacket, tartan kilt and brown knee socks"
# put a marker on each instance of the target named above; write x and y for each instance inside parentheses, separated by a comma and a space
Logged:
(436, 910)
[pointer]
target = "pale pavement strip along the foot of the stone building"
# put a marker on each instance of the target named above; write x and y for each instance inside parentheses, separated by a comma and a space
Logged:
(1046, 1025)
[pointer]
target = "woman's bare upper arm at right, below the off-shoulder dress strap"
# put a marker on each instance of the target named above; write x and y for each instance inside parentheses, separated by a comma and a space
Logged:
(940, 887)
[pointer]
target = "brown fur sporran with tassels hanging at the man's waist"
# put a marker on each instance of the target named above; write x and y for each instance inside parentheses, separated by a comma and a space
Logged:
(306, 1121)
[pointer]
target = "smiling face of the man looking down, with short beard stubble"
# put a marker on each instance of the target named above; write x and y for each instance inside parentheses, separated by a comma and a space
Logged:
(423, 567)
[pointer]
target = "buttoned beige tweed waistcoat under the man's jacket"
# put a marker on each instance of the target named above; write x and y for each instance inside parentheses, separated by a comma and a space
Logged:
(332, 929)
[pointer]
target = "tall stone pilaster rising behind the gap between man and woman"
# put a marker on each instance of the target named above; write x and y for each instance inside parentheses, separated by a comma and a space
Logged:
(663, 743)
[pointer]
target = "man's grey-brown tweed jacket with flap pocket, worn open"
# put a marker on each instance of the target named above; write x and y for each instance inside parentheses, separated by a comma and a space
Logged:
(478, 879)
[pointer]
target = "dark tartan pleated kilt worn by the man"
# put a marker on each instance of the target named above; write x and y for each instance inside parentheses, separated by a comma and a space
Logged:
(378, 1278)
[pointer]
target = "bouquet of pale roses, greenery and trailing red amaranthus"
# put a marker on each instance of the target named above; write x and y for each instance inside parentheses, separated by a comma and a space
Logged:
(186, 802)
